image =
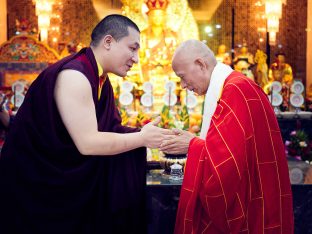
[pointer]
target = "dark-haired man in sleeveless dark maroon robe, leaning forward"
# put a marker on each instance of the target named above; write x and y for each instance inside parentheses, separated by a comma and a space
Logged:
(68, 165)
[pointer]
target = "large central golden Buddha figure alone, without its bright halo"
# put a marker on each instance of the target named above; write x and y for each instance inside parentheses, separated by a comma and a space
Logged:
(157, 41)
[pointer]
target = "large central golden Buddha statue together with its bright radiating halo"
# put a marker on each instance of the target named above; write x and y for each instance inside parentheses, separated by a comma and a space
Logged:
(163, 24)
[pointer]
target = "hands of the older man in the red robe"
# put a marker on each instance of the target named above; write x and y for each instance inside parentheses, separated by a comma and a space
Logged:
(178, 144)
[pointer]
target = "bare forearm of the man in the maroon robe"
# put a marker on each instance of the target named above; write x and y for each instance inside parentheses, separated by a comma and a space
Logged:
(106, 143)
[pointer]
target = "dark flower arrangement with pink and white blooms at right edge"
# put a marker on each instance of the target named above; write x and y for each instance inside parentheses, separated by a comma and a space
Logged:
(299, 146)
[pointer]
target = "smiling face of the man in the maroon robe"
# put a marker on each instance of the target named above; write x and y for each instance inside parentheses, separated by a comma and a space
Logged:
(124, 53)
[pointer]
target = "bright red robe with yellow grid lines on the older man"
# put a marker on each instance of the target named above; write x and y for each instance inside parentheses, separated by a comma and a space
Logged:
(236, 181)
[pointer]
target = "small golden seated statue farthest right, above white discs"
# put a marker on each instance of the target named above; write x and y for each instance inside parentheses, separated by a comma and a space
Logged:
(280, 70)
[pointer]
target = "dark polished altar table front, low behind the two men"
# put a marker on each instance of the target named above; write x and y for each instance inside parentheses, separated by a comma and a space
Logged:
(162, 199)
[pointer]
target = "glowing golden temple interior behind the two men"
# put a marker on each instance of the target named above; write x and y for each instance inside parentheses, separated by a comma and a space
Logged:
(271, 44)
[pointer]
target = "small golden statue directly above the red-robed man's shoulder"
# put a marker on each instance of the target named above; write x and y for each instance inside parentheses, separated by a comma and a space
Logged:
(244, 61)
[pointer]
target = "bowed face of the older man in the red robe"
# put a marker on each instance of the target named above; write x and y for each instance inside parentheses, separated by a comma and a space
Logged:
(193, 75)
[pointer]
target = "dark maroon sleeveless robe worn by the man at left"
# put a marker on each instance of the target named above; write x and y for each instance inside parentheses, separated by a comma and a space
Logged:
(47, 186)
